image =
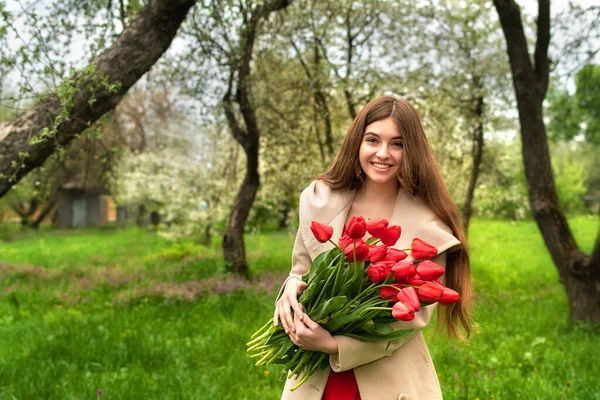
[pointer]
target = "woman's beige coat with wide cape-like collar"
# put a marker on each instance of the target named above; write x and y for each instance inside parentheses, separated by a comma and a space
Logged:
(403, 371)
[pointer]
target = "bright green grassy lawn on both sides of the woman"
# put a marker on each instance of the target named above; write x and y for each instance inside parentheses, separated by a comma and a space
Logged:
(124, 314)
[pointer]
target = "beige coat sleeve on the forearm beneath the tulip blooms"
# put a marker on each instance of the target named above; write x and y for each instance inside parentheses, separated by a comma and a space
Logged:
(353, 353)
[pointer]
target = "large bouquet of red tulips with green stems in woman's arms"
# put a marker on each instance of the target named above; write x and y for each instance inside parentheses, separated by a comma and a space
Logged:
(357, 289)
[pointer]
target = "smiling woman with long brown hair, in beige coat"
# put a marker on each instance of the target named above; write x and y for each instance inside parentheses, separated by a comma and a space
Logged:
(384, 169)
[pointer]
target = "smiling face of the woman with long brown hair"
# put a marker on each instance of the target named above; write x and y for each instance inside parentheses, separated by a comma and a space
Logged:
(381, 151)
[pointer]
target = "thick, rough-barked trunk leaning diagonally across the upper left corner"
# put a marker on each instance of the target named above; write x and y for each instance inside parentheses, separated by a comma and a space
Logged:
(130, 57)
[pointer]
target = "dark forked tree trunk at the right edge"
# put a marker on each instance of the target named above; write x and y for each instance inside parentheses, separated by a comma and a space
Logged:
(579, 272)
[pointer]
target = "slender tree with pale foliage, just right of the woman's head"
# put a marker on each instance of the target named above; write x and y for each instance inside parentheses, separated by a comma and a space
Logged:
(459, 64)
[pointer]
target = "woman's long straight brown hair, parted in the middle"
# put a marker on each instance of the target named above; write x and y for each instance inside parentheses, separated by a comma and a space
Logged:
(419, 176)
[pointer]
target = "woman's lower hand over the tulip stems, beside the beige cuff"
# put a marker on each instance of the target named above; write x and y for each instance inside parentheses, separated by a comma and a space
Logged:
(311, 336)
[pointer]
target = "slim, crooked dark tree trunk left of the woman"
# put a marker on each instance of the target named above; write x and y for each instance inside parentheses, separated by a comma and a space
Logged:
(234, 249)
